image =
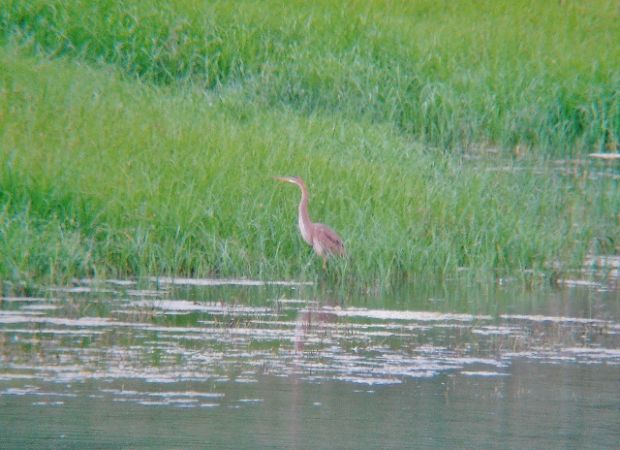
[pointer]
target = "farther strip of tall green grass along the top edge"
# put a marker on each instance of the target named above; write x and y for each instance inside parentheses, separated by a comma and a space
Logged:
(451, 74)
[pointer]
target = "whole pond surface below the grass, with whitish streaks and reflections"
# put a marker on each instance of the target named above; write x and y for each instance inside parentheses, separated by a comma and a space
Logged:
(237, 363)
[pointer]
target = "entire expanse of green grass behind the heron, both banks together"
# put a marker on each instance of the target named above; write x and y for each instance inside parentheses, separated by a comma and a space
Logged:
(141, 140)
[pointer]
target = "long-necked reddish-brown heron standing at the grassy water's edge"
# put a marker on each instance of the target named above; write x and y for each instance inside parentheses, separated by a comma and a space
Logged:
(325, 241)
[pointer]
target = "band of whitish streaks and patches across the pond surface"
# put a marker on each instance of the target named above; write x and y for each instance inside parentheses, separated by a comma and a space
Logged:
(164, 341)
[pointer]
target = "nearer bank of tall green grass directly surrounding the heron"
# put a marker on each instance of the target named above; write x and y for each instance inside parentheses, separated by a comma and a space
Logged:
(105, 176)
